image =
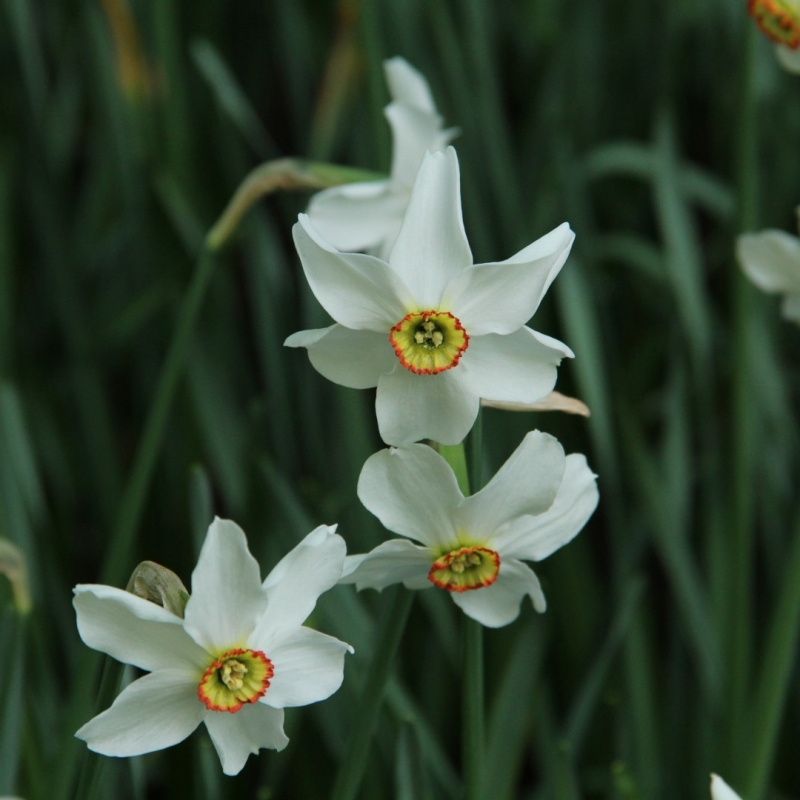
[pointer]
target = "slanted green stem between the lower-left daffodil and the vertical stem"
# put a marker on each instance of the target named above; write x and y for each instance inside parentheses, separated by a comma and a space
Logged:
(392, 626)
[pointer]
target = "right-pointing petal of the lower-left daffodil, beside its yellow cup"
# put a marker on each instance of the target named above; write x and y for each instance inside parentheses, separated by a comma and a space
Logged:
(309, 667)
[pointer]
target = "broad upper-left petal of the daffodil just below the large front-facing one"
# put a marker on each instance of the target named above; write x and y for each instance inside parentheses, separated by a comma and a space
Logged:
(413, 492)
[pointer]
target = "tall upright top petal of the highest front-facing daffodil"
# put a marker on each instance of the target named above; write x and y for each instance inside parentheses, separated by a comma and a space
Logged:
(432, 246)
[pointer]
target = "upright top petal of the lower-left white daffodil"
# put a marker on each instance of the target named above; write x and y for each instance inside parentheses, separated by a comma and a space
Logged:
(227, 597)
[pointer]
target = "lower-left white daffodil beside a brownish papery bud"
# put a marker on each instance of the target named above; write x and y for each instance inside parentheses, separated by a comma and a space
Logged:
(235, 661)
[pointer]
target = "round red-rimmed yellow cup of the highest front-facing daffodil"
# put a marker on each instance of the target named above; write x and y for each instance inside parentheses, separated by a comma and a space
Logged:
(429, 342)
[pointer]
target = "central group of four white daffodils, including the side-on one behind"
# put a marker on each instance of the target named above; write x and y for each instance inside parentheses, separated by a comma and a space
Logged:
(436, 334)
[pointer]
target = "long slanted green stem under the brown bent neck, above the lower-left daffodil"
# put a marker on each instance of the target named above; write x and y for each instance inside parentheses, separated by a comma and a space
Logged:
(118, 560)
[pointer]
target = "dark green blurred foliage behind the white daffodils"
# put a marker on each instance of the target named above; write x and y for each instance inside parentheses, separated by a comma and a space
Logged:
(658, 130)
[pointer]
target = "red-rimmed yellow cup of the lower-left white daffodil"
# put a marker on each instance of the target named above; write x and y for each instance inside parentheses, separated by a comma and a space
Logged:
(235, 678)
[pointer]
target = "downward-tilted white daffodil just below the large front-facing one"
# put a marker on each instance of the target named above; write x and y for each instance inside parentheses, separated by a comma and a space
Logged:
(473, 547)
